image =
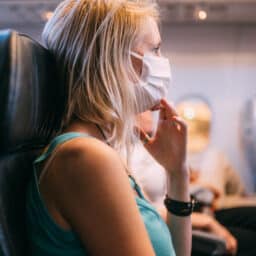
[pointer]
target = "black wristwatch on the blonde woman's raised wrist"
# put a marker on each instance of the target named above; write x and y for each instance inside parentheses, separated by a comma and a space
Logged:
(179, 208)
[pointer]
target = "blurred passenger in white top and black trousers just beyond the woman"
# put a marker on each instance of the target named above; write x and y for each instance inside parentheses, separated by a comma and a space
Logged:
(237, 226)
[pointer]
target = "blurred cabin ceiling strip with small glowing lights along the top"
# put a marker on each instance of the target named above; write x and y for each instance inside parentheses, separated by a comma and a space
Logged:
(36, 12)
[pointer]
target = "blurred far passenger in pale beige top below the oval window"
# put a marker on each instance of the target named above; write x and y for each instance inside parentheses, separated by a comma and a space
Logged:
(211, 169)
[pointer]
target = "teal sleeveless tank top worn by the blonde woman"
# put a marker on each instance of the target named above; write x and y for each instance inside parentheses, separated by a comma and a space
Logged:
(47, 238)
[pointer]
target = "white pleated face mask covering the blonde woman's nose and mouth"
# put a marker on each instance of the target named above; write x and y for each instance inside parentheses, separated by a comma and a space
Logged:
(154, 81)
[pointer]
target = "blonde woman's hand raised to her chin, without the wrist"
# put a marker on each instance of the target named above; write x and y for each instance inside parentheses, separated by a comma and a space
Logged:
(168, 146)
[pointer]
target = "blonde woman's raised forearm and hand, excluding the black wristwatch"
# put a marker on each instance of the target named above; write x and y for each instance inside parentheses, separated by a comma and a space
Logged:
(168, 147)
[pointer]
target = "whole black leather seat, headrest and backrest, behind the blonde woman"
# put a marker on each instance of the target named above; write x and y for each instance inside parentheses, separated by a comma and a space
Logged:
(31, 107)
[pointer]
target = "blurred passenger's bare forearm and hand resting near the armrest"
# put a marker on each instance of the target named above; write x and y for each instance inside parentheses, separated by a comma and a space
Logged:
(205, 222)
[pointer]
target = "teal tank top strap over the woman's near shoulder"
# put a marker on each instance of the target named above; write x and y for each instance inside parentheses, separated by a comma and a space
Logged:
(57, 141)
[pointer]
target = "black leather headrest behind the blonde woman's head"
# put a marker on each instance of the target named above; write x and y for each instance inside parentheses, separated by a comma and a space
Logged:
(32, 99)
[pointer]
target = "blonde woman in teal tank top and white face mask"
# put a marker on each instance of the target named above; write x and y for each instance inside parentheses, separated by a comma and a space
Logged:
(82, 200)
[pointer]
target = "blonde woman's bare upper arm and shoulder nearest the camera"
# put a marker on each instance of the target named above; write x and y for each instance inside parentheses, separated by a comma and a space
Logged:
(95, 197)
